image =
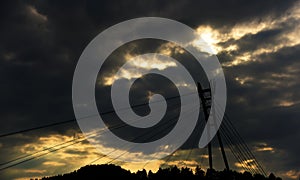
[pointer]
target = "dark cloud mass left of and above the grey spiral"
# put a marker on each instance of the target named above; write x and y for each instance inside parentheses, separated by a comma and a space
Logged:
(44, 40)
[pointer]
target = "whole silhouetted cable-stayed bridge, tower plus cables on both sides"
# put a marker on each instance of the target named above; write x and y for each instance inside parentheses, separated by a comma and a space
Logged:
(227, 137)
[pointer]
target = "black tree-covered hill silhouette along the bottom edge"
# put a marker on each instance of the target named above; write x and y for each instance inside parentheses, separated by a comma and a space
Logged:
(97, 172)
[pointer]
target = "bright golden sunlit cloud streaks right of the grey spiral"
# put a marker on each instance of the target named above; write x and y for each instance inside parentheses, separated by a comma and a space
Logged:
(226, 39)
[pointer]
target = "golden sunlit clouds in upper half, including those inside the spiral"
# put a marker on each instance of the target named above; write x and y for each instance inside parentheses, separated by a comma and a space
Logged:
(224, 40)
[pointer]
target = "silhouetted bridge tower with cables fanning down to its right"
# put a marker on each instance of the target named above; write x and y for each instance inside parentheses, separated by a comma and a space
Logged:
(229, 133)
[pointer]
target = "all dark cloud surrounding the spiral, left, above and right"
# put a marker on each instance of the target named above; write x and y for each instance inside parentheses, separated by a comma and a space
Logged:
(41, 42)
